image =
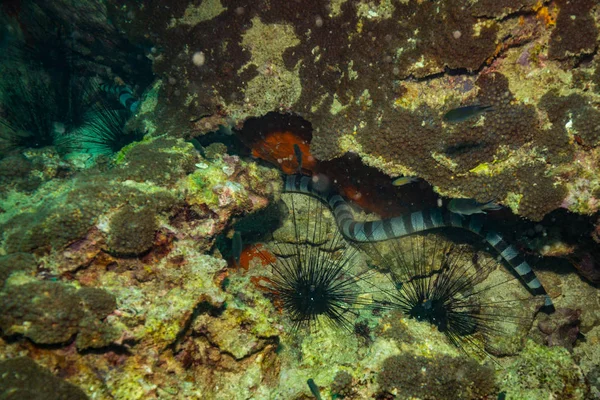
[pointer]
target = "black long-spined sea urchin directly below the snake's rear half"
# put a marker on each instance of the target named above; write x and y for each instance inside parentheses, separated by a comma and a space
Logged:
(461, 292)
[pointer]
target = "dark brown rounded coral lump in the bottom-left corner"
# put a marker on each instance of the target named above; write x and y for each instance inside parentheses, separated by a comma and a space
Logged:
(22, 378)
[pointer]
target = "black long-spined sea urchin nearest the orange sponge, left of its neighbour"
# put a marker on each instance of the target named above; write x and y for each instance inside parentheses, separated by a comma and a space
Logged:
(314, 275)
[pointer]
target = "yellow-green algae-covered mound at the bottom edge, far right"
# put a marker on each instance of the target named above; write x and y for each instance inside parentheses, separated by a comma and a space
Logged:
(541, 373)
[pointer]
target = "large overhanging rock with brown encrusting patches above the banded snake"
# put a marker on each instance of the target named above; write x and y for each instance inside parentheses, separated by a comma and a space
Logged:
(354, 88)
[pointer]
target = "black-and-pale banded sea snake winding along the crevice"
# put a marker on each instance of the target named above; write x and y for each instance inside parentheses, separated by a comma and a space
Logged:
(419, 221)
